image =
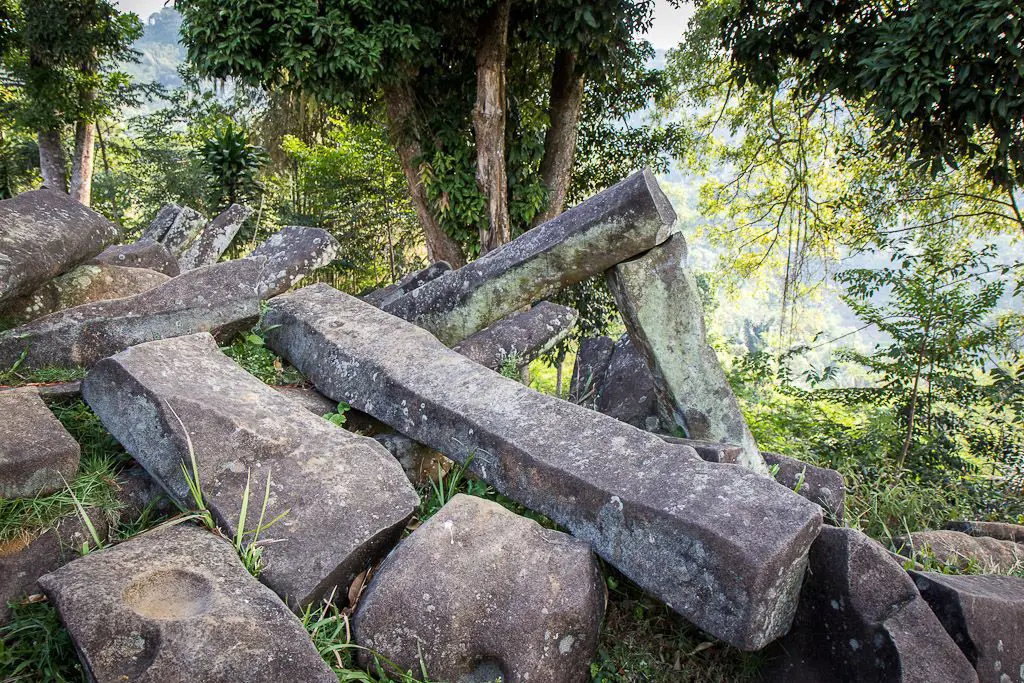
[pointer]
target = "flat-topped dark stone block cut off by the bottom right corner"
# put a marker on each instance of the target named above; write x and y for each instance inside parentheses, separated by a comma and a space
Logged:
(985, 615)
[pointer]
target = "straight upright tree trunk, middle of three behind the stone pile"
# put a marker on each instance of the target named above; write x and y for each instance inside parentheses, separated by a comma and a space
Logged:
(489, 124)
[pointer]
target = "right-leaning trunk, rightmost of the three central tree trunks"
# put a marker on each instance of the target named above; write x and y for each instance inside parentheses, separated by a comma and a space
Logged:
(560, 144)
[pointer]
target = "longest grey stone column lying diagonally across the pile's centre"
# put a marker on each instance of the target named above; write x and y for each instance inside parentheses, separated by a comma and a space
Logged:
(723, 546)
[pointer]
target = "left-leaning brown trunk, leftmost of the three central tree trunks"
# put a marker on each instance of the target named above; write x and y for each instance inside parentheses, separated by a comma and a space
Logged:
(441, 247)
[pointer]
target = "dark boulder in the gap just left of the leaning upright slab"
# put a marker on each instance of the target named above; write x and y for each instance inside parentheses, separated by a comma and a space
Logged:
(627, 392)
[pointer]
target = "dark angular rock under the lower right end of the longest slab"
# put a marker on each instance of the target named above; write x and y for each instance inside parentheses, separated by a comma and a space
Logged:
(862, 619)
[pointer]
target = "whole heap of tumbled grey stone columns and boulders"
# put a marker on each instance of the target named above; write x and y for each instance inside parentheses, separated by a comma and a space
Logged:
(477, 592)
